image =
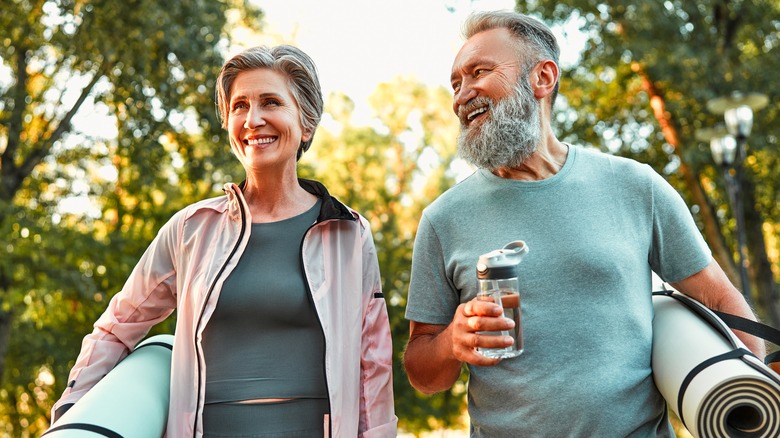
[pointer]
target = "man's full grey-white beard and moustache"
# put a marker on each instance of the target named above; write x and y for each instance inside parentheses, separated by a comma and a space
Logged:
(509, 135)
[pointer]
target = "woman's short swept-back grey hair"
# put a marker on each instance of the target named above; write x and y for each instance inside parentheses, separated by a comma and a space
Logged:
(292, 62)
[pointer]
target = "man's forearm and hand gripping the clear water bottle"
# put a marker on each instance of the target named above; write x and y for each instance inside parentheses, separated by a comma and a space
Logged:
(435, 353)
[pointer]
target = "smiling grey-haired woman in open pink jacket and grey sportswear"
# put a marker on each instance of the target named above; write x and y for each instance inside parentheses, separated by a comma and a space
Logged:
(281, 327)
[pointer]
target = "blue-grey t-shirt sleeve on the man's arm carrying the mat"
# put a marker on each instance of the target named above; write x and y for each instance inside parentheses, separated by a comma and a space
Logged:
(679, 250)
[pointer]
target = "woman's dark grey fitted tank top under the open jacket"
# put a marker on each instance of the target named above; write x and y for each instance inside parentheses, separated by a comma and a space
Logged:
(264, 339)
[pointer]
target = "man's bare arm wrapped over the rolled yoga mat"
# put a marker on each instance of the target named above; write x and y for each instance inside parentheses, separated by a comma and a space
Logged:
(711, 287)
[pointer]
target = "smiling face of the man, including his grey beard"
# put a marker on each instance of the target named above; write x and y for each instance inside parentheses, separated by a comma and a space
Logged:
(498, 112)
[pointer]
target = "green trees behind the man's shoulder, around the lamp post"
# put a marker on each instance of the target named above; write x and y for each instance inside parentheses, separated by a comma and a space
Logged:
(641, 90)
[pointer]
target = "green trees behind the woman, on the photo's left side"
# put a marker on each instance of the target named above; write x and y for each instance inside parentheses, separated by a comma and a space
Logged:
(153, 70)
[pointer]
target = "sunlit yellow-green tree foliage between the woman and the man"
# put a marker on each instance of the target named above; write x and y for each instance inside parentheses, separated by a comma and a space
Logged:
(390, 171)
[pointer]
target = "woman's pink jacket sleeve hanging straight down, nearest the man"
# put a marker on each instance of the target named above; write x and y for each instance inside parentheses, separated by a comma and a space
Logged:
(377, 410)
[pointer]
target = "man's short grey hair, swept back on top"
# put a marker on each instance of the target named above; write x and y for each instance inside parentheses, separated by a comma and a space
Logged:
(535, 38)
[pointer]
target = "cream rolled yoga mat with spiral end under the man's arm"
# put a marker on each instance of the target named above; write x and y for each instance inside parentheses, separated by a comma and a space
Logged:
(707, 375)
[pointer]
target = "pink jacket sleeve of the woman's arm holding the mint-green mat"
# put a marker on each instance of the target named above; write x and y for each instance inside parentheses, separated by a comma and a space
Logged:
(148, 297)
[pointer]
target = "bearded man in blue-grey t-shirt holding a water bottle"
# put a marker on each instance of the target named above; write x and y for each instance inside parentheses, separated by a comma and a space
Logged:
(596, 226)
